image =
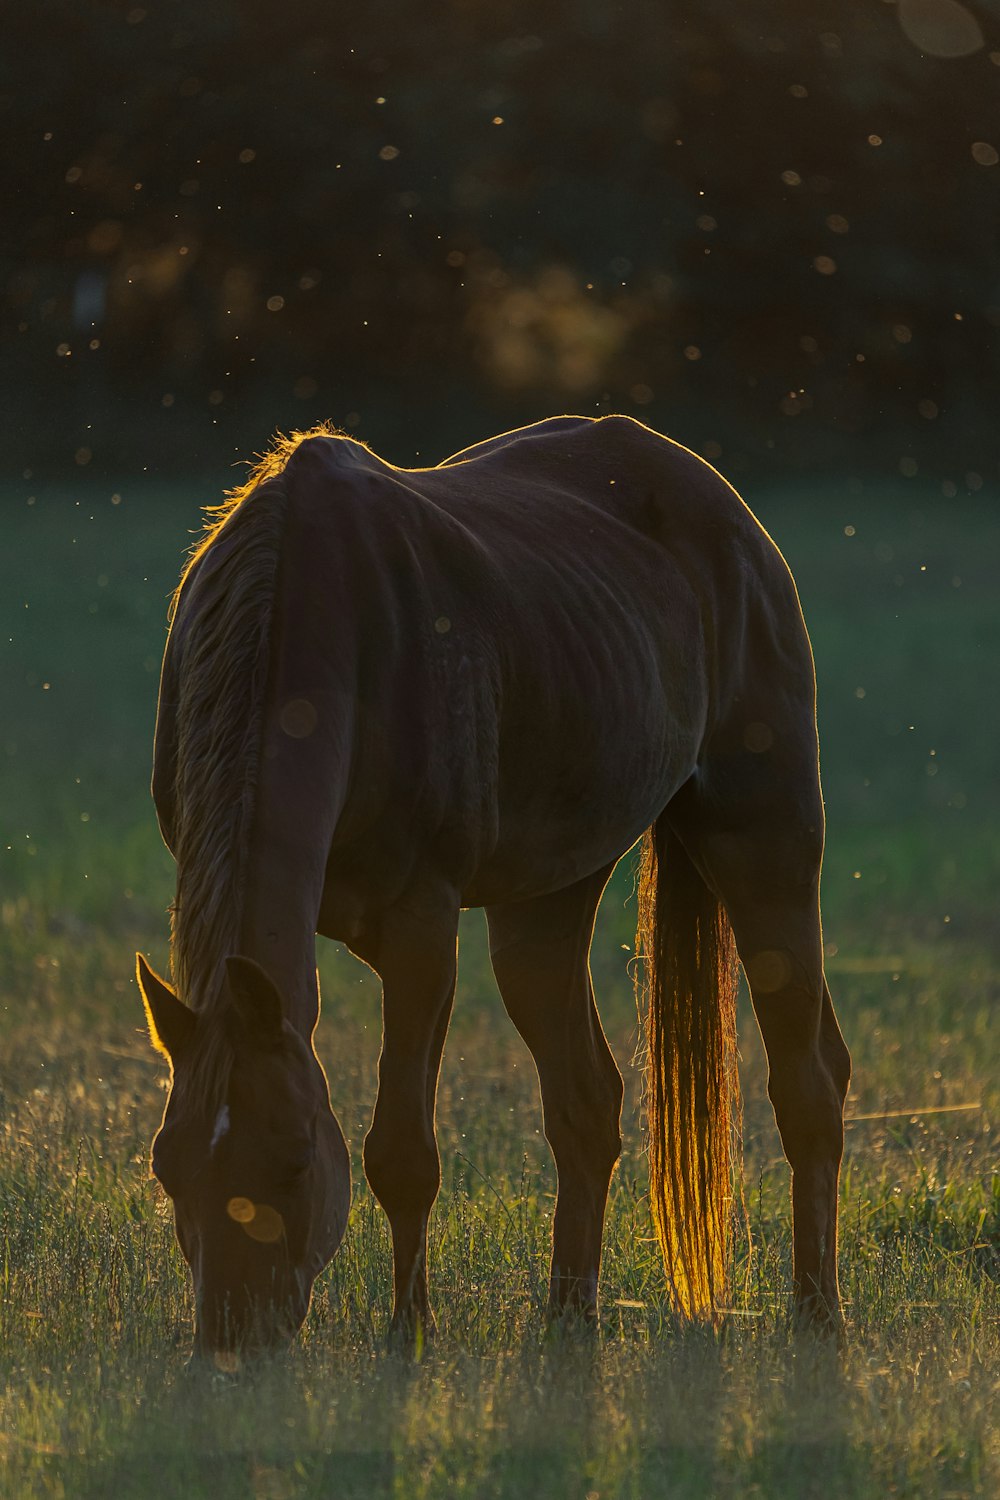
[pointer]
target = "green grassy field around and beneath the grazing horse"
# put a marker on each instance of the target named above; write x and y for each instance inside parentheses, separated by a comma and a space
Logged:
(95, 1307)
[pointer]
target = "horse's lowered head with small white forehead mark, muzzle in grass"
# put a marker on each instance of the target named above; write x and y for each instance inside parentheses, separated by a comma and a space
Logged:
(251, 1156)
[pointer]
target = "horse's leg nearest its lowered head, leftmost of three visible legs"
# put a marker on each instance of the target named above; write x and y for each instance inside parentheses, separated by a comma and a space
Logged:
(418, 965)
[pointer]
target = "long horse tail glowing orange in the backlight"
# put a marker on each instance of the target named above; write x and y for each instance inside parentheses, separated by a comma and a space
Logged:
(689, 976)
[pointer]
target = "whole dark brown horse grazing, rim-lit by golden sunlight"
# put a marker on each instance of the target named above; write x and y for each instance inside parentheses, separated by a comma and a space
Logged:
(394, 694)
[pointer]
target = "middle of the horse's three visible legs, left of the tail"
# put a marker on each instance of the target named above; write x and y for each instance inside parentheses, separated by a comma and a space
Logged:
(540, 955)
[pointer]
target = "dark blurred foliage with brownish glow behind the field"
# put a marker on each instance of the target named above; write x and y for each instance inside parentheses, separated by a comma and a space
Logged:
(770, 232)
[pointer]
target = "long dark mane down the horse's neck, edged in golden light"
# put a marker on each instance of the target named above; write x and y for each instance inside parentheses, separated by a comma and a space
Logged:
(221, 635)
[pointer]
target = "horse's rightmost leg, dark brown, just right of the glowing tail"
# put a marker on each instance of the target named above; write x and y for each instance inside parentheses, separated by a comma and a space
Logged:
(762, 856)
